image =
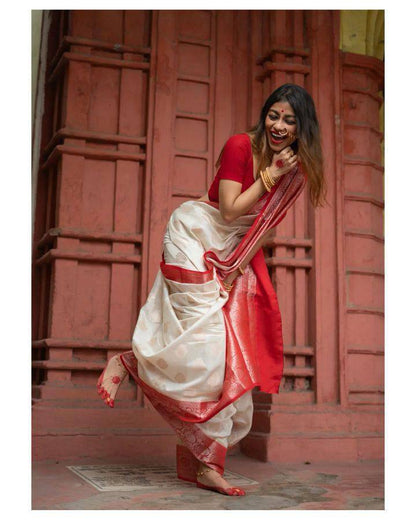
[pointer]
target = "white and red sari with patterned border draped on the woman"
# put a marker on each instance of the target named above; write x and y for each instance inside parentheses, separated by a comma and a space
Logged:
(248, 317)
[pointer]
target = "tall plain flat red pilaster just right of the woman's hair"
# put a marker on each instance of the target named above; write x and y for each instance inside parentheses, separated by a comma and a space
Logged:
(325, 255)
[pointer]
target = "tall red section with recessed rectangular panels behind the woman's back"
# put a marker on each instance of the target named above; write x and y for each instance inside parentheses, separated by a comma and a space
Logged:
(182, 160)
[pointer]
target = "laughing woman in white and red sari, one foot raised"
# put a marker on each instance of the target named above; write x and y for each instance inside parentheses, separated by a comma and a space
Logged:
(210, 329)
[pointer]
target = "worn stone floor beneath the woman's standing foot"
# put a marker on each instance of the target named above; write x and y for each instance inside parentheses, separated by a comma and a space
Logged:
(80, 485)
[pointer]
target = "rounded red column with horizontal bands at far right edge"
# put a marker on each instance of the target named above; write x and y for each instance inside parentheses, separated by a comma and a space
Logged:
(362, 82)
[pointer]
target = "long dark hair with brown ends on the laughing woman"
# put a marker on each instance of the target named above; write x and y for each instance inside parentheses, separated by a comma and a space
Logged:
(308, 143)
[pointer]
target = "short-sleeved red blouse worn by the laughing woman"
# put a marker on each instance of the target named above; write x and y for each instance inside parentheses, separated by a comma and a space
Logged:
(236, 165)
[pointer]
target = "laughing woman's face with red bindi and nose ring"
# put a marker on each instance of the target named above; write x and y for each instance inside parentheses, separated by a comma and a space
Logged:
(280, 126)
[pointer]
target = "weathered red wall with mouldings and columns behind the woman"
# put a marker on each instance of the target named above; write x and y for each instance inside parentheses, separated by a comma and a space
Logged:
(137, 107)
